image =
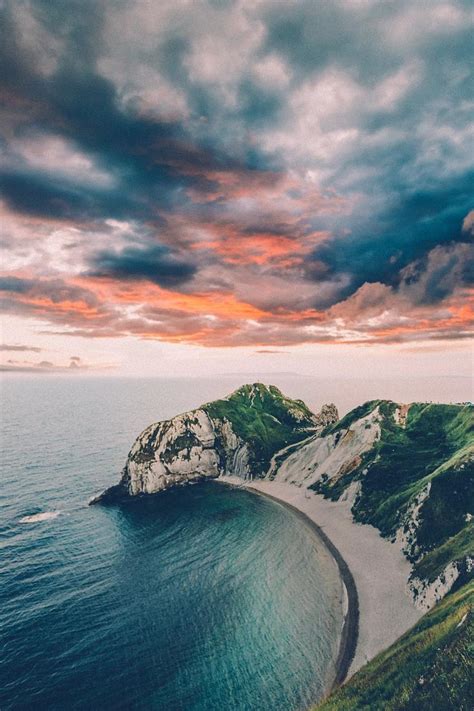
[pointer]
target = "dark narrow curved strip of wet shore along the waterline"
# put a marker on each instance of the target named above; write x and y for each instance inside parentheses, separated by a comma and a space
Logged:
(350, 628)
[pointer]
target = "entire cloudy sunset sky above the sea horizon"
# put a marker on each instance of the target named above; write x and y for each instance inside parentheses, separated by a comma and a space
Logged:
(228, 186)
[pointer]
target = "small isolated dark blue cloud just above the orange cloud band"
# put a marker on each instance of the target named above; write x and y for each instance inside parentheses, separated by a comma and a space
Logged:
(154, 263)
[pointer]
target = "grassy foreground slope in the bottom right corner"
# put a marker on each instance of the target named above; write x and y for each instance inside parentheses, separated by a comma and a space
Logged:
(429, 668)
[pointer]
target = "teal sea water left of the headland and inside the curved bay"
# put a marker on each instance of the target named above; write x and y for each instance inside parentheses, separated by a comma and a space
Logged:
(202, 598)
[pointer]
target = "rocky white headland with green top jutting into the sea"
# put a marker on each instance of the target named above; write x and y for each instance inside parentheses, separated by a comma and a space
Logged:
(238, 435)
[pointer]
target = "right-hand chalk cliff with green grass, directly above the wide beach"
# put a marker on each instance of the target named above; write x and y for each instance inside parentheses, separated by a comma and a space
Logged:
(409, 471)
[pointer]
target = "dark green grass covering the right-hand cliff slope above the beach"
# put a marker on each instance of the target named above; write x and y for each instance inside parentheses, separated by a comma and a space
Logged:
(436, 445)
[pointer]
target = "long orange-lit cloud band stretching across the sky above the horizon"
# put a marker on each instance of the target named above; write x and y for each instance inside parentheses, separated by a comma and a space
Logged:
(218, 318)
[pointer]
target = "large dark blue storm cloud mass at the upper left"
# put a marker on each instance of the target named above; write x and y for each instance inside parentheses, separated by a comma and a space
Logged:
(152, 161)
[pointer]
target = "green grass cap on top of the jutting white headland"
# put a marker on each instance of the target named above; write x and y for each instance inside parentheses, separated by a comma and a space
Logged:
(264, 418)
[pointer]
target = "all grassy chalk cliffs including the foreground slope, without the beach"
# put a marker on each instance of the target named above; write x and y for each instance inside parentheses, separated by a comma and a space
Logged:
(409, 471)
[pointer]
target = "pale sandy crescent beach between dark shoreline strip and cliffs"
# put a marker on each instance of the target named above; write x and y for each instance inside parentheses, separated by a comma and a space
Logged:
(377, 567)
